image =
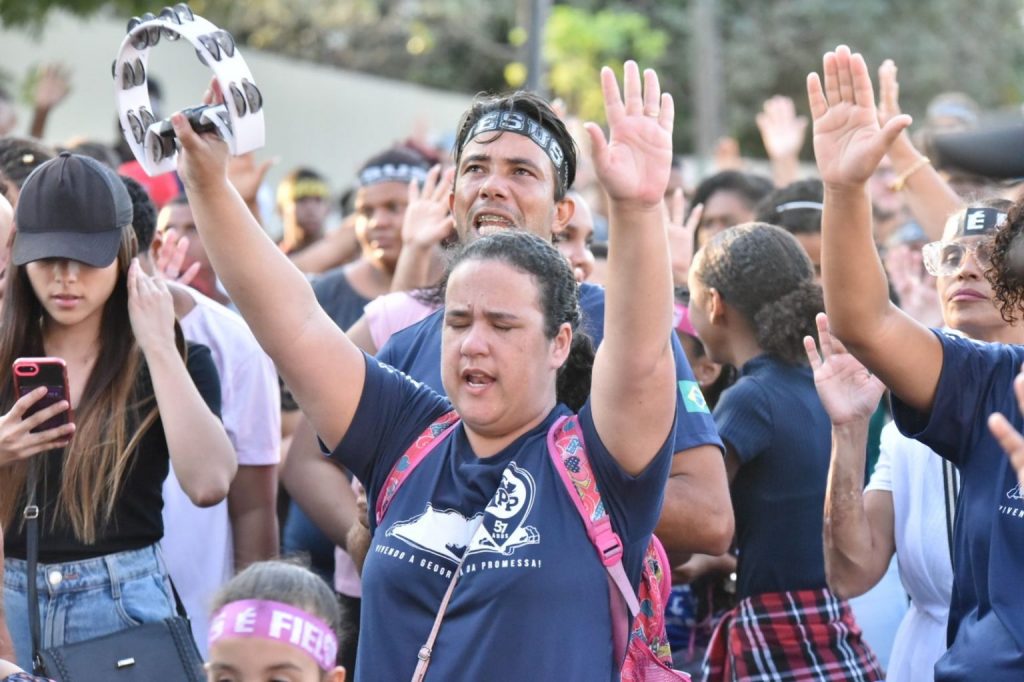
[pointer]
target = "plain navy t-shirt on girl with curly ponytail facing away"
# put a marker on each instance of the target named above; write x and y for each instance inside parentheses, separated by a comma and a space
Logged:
(774, 420)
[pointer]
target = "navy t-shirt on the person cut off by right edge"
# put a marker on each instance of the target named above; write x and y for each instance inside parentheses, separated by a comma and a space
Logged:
(987, 615)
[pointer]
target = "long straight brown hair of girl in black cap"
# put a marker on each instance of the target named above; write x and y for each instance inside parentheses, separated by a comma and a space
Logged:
(99, 457)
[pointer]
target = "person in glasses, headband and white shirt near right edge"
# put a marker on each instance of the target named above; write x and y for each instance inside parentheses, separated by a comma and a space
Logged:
(909, 505)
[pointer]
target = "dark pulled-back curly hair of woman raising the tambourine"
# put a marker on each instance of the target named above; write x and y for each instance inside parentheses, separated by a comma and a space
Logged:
(560, 301)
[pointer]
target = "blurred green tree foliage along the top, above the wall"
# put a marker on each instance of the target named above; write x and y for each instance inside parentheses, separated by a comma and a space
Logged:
(767, 48)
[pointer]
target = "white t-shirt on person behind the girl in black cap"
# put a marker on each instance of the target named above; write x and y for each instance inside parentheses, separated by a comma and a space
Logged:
(198, 545)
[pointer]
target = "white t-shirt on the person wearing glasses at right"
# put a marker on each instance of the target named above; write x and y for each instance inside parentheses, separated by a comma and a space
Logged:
(913, 474)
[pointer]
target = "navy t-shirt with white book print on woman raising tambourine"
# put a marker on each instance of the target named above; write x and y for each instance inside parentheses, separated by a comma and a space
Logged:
(533, 596)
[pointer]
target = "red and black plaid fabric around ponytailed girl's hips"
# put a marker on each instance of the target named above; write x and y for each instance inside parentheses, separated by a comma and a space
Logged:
(790, 637)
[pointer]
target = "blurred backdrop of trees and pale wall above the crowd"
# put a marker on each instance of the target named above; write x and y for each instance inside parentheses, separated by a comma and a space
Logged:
(344, 79)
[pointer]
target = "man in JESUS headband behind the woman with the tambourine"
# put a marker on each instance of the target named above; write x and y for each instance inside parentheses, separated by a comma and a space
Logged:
(516, 162)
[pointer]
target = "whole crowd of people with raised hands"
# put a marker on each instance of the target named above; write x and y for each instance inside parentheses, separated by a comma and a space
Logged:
(762, 388)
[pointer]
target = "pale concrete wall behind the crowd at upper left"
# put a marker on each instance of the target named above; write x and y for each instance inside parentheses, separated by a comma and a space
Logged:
(329, 119)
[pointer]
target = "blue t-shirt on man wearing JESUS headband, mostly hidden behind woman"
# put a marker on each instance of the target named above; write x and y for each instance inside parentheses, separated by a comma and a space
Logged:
(416, 351)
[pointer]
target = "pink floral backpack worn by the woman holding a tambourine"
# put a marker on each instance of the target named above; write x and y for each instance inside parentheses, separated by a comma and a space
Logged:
(643, 650)
